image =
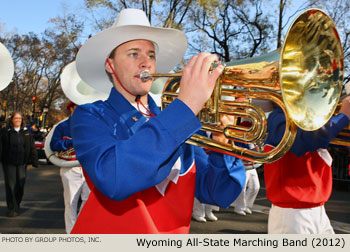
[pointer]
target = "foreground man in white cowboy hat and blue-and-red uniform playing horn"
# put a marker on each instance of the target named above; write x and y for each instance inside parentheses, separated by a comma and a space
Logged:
(143, 176)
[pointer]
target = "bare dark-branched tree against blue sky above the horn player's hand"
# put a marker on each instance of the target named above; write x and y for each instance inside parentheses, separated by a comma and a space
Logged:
(236, 29)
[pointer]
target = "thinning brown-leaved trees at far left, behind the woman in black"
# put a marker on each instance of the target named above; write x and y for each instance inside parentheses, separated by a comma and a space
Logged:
(38, 64)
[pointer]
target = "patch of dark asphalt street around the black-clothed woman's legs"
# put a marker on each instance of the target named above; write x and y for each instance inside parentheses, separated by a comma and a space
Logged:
(42, 206)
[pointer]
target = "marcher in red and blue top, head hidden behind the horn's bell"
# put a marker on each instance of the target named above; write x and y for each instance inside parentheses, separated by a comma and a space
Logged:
(299, 184)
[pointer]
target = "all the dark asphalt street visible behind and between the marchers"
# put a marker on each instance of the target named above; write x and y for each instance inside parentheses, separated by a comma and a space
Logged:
(42, 209)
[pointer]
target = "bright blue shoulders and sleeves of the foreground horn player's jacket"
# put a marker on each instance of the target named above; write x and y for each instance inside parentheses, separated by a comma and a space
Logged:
(123, 153)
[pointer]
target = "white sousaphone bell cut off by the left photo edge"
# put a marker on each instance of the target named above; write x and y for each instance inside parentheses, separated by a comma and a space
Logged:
(6, 67)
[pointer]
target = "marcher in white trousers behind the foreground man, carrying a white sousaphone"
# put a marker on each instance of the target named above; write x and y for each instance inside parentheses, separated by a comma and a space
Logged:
(73, 180)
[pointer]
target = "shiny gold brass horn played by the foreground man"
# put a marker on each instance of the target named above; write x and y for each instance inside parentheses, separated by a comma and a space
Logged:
(304, 78)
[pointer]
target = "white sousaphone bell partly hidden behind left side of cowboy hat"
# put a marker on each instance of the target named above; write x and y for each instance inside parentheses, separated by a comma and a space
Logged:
(75, 89)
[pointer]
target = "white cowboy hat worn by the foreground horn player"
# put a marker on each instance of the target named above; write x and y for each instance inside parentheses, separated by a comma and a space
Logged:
(131, 24)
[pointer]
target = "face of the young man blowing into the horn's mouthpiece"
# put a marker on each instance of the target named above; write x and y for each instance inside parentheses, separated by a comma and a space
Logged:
(129, 60)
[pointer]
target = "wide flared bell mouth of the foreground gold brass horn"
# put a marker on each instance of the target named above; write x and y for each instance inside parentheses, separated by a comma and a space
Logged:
(311, 70)
